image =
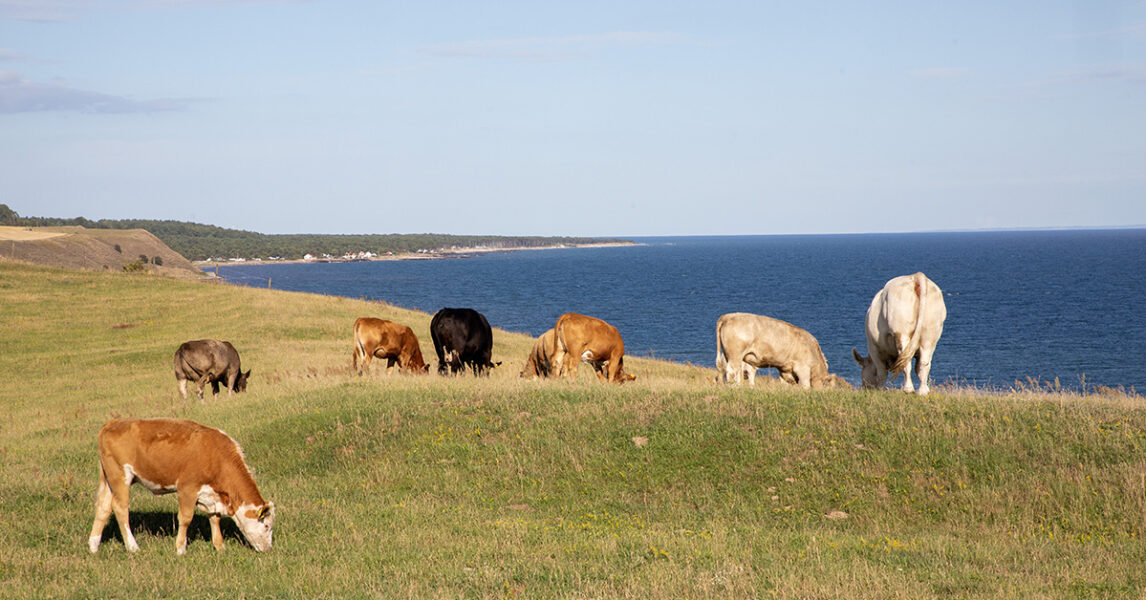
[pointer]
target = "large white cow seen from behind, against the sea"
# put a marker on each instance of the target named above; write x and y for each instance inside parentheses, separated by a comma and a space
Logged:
(905, 322)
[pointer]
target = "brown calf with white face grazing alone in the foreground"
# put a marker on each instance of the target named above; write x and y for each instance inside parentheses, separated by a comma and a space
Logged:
(205, 467)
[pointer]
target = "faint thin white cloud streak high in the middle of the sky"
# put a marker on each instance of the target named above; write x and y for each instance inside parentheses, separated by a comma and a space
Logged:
(551, 49)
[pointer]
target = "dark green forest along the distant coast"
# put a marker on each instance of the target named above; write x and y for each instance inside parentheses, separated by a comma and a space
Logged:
(203, 242)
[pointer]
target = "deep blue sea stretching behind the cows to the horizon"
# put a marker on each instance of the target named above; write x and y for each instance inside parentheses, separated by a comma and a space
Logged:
(1022, 305)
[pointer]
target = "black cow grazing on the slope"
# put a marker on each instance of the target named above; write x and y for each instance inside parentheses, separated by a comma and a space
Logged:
(462, 337)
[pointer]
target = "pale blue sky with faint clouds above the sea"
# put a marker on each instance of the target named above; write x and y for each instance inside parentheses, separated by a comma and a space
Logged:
(588, 119)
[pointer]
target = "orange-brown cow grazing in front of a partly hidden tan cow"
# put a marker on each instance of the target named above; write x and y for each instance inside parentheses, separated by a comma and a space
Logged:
(591, 341)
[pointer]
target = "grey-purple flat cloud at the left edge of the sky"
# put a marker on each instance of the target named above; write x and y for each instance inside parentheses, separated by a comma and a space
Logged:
(22, 96)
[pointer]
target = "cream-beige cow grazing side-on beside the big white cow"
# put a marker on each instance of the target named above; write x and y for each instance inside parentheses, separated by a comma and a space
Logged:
(747, 343)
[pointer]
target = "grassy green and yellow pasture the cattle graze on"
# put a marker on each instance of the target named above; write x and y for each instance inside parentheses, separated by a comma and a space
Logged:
(430, 487)
